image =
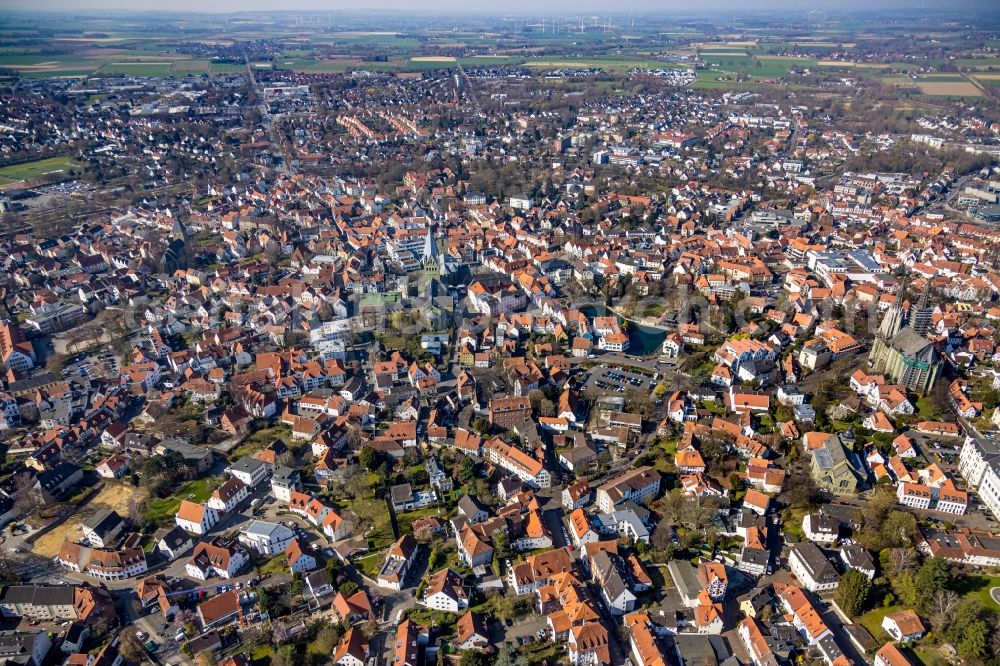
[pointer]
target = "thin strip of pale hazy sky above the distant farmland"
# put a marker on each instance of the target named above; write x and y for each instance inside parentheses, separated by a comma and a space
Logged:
(490, 6)
